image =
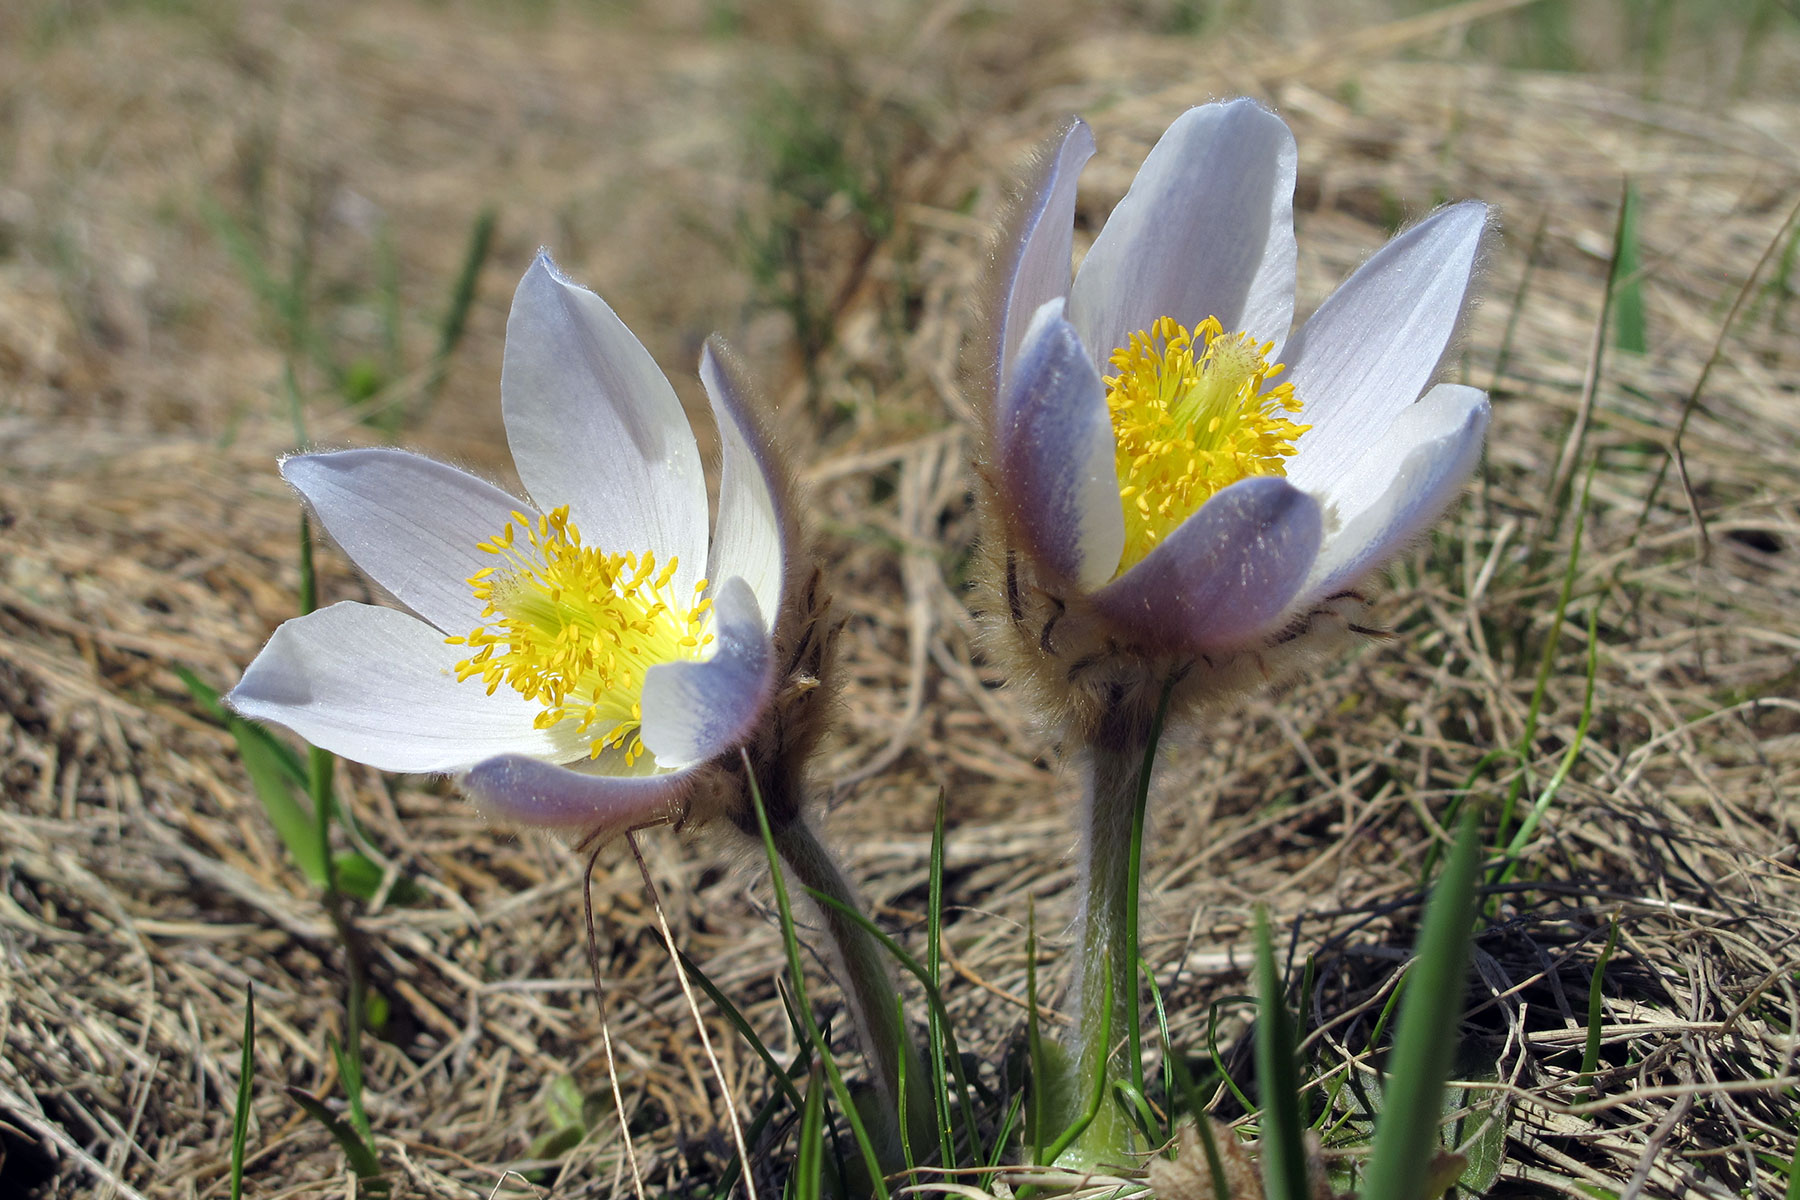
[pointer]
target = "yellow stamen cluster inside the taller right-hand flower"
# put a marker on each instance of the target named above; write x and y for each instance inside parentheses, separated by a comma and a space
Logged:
(1192, 415)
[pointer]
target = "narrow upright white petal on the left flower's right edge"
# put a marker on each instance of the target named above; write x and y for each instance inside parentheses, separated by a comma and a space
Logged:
(750, 541)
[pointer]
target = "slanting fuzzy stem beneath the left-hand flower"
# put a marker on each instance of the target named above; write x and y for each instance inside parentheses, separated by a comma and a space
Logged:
(867, 976)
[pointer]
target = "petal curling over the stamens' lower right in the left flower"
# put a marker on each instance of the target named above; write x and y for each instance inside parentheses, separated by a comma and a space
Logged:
(696, 712)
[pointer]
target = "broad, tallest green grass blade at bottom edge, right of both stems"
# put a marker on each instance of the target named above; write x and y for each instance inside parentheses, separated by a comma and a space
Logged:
(1407, 1140)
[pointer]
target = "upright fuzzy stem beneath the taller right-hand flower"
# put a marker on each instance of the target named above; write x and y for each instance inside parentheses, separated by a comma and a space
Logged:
(1106, 1030)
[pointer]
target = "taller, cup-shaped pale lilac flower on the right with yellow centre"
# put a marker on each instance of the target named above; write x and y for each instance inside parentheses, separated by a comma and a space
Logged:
(1162, 449)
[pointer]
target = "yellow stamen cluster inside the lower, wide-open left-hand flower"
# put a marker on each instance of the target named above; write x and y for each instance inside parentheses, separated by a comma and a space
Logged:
(575, 629)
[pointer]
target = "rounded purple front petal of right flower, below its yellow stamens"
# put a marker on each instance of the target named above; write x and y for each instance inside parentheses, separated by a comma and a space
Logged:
(1225, 577)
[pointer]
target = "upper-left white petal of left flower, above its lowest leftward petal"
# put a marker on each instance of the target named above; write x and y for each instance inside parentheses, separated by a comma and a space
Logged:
(409, 523)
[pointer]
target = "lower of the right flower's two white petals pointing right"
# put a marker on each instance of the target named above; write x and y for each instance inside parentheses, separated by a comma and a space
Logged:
(1401, 485)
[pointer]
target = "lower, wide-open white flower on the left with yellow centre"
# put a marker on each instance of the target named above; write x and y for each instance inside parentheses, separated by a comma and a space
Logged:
(579, 659)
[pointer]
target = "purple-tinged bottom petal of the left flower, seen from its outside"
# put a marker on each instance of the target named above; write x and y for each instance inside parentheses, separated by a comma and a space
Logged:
(528, 793)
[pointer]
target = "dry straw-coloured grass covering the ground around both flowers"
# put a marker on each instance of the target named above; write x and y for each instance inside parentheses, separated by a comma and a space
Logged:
(143, 528)
